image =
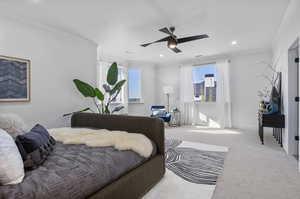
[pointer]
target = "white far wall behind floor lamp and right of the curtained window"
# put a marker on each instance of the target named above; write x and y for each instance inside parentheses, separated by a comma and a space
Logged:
(245, 83)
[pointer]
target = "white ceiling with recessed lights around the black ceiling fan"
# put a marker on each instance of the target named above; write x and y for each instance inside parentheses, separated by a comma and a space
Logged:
(120, 26)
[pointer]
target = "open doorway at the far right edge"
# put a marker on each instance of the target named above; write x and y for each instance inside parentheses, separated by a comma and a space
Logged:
(294, 127)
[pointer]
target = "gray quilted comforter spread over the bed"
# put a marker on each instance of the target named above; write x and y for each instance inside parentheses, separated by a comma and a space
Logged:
(73, 172)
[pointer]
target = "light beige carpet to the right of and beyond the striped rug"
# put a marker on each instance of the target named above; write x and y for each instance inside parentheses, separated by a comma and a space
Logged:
(252, 170)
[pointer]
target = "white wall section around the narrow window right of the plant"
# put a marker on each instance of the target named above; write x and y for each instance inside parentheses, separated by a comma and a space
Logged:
(148, 88)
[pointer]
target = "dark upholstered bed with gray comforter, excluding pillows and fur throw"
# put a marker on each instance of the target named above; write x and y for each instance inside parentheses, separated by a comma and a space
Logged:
(79, 171)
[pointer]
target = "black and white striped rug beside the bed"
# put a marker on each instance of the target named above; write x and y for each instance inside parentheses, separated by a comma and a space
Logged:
(192, 170)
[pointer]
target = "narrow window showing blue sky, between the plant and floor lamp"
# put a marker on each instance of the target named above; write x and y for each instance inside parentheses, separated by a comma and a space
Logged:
(134, 86)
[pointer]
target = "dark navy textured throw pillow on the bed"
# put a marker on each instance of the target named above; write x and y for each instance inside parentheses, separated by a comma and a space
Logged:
(35, 146)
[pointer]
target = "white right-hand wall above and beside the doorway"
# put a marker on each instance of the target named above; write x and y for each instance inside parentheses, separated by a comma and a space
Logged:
(288, 33)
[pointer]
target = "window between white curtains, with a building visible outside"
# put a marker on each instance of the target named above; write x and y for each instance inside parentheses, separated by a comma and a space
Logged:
(205, 83)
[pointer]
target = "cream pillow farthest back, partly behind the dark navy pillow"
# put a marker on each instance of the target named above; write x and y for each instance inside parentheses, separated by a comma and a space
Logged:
(12, 124)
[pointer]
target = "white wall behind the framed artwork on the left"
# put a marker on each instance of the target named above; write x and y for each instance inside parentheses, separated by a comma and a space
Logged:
(56, 59)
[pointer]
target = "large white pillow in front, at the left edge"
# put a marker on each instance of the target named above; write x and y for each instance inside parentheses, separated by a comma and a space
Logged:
(11, 163)
